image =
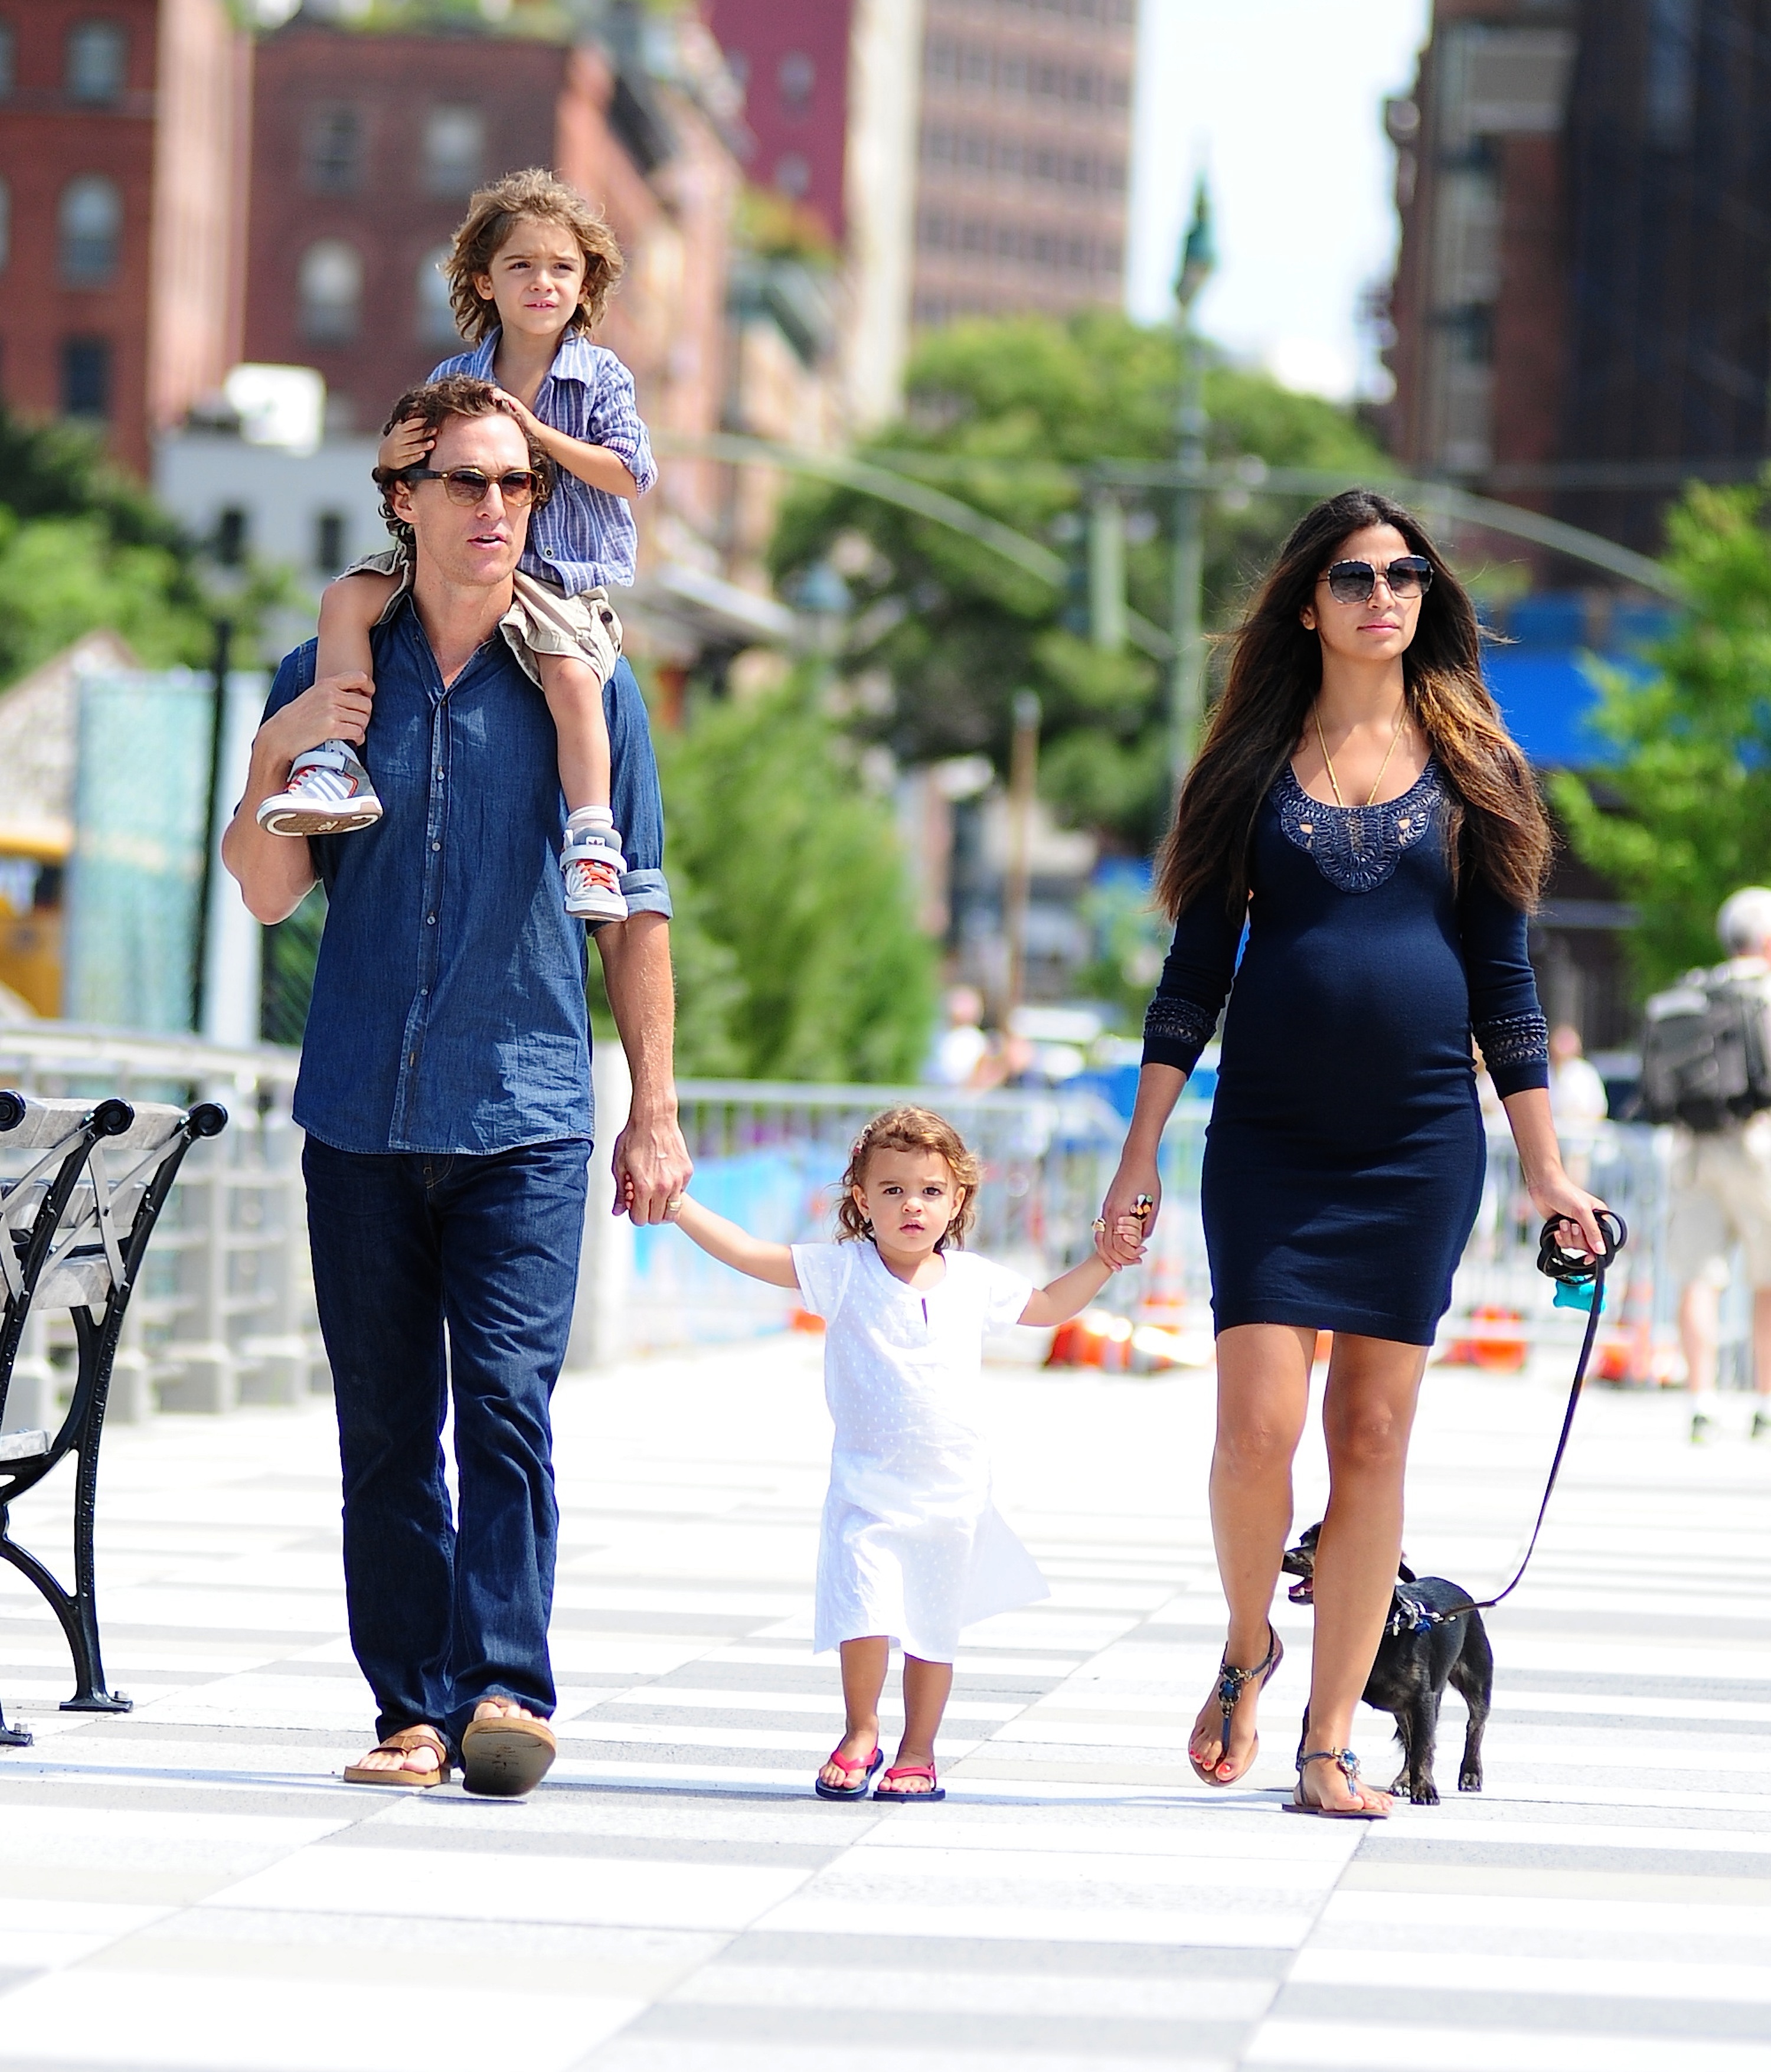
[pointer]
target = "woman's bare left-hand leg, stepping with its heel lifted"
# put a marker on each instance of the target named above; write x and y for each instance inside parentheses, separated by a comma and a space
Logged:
(1262, 1404)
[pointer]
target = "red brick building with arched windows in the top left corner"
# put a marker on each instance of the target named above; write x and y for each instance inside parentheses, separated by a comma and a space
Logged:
(123, 140)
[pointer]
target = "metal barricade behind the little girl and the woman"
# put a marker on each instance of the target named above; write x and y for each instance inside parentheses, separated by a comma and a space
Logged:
(772, 1157)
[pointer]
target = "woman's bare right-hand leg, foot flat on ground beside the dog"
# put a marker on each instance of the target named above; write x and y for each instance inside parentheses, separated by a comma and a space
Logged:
(1368, 1416)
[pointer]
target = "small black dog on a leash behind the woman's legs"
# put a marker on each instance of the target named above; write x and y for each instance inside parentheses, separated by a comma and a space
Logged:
(1416, 1663)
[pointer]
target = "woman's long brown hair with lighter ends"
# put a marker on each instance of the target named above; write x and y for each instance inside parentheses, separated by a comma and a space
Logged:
(1497, 822)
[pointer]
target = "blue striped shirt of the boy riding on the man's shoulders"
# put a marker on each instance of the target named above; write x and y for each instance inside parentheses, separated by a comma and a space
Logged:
(581, 538)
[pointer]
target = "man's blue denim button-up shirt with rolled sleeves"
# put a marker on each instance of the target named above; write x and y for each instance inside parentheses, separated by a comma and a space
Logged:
(448, 1004)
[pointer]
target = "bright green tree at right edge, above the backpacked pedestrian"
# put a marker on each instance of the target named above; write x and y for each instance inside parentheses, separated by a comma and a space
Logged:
(1683, 817)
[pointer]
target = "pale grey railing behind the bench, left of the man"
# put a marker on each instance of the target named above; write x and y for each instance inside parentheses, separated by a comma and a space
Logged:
(225, 1313)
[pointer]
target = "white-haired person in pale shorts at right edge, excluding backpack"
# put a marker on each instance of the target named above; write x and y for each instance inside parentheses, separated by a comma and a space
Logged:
(1722, 1195)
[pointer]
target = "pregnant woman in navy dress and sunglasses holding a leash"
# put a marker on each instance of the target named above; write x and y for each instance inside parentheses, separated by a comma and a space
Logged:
(1360, 809)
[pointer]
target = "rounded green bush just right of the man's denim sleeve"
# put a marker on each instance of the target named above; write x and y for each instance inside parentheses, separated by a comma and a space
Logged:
(799, 954)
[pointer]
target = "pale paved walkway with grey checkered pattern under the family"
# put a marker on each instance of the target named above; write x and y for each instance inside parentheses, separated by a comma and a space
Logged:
(192, 1889)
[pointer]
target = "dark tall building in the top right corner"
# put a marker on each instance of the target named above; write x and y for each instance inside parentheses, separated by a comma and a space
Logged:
(1584, 297)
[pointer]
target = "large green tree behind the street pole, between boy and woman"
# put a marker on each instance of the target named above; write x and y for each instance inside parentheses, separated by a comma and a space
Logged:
(1006, 413)
